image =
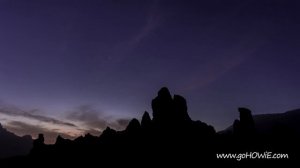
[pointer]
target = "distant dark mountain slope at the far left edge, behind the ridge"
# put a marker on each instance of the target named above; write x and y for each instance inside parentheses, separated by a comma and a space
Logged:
(13, 145)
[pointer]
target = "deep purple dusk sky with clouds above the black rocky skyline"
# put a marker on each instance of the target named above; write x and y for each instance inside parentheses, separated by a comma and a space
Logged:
(74, 66)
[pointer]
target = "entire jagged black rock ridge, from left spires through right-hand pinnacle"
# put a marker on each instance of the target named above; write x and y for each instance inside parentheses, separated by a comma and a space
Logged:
(170, 137)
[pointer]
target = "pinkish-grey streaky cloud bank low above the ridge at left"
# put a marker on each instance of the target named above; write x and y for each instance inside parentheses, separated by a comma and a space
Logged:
(81, 120)
